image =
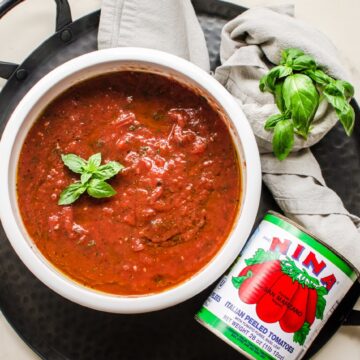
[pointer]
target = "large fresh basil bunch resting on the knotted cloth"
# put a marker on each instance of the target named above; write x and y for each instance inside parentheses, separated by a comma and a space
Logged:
(298, 85)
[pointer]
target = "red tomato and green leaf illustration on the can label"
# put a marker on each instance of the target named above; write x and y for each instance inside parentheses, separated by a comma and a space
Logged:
(281, 292)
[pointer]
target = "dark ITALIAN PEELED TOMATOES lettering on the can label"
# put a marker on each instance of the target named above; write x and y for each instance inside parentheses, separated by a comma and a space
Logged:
(256, 325)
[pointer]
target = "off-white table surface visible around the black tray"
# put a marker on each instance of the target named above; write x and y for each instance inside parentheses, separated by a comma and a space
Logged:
(339, 19)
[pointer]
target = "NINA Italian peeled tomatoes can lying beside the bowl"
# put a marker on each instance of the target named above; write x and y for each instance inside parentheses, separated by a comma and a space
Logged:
(279, 293)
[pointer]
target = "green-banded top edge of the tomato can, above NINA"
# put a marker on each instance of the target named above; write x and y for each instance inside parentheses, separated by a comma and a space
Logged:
(324, 249)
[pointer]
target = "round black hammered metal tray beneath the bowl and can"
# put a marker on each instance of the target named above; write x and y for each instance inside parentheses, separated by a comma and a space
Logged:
(57, 329)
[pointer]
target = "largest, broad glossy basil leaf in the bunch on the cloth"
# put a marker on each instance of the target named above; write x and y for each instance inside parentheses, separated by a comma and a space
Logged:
(302, 99)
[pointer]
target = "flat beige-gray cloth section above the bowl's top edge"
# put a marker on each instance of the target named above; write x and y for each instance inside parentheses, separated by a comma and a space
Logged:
(167, 25)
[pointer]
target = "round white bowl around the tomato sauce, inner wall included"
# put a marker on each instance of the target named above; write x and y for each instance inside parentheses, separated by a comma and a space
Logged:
(100, 62)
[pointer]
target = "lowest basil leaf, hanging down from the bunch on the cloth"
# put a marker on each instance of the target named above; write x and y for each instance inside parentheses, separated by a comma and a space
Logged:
(283, 139)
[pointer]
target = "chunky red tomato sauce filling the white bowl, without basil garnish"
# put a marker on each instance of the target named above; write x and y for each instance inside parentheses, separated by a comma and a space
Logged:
(177, 196)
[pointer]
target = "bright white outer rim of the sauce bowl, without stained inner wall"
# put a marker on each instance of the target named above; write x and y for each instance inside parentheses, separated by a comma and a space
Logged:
(67, 287)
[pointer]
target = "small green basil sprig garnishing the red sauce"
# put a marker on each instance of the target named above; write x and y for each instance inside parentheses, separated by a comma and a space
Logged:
(93, 177)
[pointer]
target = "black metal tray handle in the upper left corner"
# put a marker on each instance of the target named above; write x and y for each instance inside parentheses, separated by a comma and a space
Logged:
(63, 19)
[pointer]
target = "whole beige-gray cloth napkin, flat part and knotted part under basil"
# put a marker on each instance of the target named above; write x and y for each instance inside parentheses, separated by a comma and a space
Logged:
(250, 44)
